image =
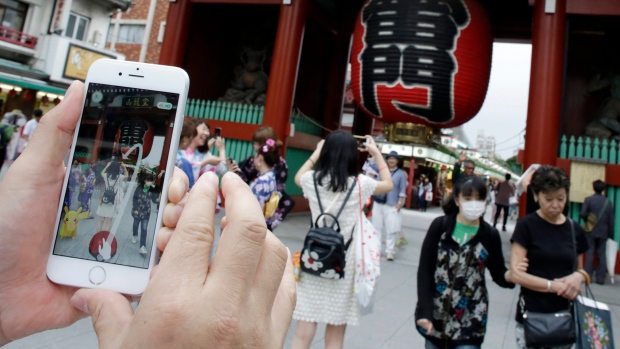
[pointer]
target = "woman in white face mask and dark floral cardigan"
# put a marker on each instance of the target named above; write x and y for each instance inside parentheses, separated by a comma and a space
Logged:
(453, 302)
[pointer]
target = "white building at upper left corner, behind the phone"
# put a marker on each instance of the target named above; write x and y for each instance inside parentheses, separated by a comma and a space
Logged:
(45, 45)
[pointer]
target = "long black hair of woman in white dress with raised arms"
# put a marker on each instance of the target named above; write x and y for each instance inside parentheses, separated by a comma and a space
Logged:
(338, 160)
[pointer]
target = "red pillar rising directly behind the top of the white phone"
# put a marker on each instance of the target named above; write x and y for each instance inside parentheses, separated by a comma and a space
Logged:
(175, 36)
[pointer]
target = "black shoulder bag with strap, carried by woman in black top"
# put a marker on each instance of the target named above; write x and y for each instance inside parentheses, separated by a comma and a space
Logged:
(550, 329)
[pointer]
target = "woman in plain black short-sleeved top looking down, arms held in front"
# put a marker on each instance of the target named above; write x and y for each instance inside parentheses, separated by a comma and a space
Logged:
(546, 239)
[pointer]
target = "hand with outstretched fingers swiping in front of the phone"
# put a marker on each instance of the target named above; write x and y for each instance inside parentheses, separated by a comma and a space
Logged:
(237, 300)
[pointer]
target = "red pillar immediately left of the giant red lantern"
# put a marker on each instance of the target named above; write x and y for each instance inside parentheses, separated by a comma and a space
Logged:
(285, 61)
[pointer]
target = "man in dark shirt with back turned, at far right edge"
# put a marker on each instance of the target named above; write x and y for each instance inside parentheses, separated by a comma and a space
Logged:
(600, 206)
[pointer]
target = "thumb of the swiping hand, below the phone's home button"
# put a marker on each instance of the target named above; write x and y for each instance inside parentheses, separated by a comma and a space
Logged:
(111, 313)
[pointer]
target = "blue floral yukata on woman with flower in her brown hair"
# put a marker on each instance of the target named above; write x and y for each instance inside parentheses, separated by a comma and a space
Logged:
(248, 173)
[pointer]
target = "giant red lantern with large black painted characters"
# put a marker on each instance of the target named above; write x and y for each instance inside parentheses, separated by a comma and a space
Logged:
(426, 62)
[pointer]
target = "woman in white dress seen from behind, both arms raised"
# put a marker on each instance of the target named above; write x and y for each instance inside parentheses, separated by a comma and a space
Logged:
(335, 163)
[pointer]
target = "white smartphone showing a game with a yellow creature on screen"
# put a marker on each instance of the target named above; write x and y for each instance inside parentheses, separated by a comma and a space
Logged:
(123, 152)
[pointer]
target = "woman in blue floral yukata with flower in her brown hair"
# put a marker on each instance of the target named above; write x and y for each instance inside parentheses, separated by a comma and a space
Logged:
(248, 172)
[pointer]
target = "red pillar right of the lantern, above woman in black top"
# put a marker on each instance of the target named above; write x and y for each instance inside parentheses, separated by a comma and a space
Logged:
(545, 97)
